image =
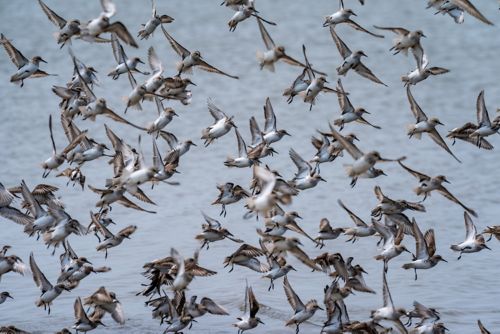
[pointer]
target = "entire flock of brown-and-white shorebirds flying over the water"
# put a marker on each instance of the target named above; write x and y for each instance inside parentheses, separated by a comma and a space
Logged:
(42, 213)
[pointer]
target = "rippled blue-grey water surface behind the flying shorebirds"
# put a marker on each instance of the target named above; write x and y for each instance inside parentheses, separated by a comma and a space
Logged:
(462, 291)
